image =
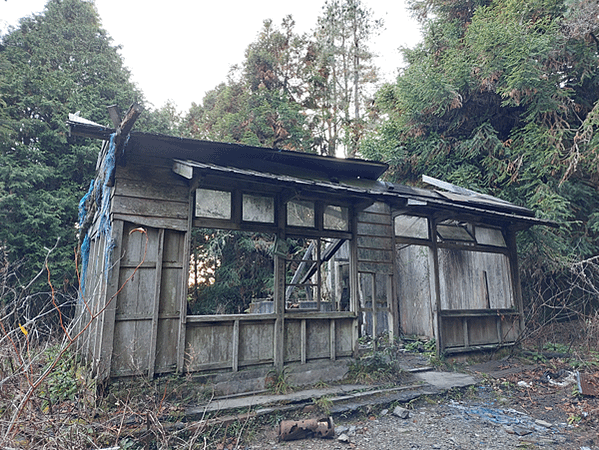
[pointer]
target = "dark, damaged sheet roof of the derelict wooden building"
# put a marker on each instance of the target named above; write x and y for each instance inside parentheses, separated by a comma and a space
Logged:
(352, 177)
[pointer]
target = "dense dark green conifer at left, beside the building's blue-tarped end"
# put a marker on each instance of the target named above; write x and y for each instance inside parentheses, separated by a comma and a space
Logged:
(58, 62)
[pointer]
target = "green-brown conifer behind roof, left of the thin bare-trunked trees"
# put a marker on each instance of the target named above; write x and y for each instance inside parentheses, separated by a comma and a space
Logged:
(260, 104)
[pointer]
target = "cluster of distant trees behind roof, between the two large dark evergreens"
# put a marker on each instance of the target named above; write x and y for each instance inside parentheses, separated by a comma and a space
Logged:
(295, 92)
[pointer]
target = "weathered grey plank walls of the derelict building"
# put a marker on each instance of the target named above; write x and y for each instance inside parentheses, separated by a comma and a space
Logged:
(143, 328)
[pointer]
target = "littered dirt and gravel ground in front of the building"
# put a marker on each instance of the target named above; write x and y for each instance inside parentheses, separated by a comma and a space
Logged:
(515, 404)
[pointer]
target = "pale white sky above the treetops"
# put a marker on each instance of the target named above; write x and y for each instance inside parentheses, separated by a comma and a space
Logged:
(180, 49)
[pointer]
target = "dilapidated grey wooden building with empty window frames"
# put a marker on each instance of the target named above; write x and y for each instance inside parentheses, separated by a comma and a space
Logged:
(347, 255)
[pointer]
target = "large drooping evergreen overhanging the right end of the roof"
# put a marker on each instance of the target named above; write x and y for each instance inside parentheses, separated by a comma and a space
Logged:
(502, 97)
